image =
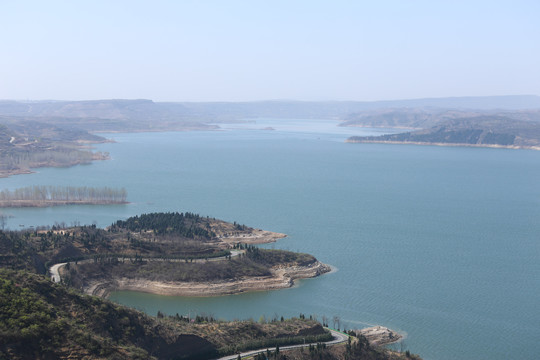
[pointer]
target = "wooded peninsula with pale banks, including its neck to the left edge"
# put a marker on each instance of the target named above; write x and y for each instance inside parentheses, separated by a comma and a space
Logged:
(164, 253)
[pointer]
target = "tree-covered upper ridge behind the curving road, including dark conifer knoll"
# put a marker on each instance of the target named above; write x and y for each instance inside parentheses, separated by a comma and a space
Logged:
(188, 236)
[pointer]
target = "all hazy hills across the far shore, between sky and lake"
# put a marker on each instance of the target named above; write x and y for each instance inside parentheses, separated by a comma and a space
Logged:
(514, 117)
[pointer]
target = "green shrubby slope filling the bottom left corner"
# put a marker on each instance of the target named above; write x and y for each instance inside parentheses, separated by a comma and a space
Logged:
(39, 319)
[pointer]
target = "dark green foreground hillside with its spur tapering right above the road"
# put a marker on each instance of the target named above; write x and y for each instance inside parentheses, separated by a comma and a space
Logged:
(40, 319)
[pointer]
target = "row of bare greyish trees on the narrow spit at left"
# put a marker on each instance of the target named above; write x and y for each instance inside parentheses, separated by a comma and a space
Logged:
(65, 193)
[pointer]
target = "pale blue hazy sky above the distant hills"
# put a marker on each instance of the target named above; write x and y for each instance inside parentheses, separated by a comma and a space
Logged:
(227, 50)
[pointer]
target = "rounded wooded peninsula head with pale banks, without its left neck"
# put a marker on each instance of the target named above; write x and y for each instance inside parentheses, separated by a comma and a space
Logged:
(189, 255)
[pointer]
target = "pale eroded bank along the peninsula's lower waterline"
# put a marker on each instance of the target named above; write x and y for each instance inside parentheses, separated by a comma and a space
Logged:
(281, 278)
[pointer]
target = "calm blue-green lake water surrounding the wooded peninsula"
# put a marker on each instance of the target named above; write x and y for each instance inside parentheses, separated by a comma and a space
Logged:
(439, 243)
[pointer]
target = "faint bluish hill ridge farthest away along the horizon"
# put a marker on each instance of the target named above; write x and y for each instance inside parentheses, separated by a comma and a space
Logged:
(141, 113)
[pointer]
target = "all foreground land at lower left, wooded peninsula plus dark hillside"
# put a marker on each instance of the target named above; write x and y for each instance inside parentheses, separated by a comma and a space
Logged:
(40, 318)
